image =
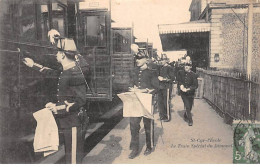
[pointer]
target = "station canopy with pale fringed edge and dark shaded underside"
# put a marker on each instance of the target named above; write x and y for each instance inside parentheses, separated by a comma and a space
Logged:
(192, 37)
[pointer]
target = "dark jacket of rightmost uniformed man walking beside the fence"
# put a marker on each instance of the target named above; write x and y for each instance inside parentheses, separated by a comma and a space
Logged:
(188, 80)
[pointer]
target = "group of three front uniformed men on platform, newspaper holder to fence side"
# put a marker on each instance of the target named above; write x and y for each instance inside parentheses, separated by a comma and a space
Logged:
(157, 77)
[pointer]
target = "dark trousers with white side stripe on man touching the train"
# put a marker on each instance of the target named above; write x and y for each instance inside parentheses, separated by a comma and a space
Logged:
(74, 145)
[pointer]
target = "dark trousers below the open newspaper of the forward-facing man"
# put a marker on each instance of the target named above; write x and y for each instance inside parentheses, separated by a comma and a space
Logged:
(135, 128)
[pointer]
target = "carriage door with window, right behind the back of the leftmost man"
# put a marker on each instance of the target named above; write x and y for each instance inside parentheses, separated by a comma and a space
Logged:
(94, 42)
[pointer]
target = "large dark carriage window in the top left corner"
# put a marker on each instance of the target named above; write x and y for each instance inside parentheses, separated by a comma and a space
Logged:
(18, 20)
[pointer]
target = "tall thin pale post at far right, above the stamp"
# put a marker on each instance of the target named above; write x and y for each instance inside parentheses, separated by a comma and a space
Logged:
(249, 54)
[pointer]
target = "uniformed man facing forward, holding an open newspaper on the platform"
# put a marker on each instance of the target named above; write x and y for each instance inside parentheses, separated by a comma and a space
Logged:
(144, 82)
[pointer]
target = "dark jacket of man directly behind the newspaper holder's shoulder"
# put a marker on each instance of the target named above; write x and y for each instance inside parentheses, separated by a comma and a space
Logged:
(166, 71)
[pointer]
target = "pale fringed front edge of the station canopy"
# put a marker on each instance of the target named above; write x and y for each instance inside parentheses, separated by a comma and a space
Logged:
(193, 26)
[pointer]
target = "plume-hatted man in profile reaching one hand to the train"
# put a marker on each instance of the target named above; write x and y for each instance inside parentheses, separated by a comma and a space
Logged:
(71, 95)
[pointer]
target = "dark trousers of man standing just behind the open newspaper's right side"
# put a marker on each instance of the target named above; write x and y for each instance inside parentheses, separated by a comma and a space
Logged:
(162, 103)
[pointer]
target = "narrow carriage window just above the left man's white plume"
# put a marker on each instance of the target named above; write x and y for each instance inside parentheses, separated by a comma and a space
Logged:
(59, 18)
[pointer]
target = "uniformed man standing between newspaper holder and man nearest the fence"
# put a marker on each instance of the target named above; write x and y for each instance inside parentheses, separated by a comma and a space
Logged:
(166, 78)
